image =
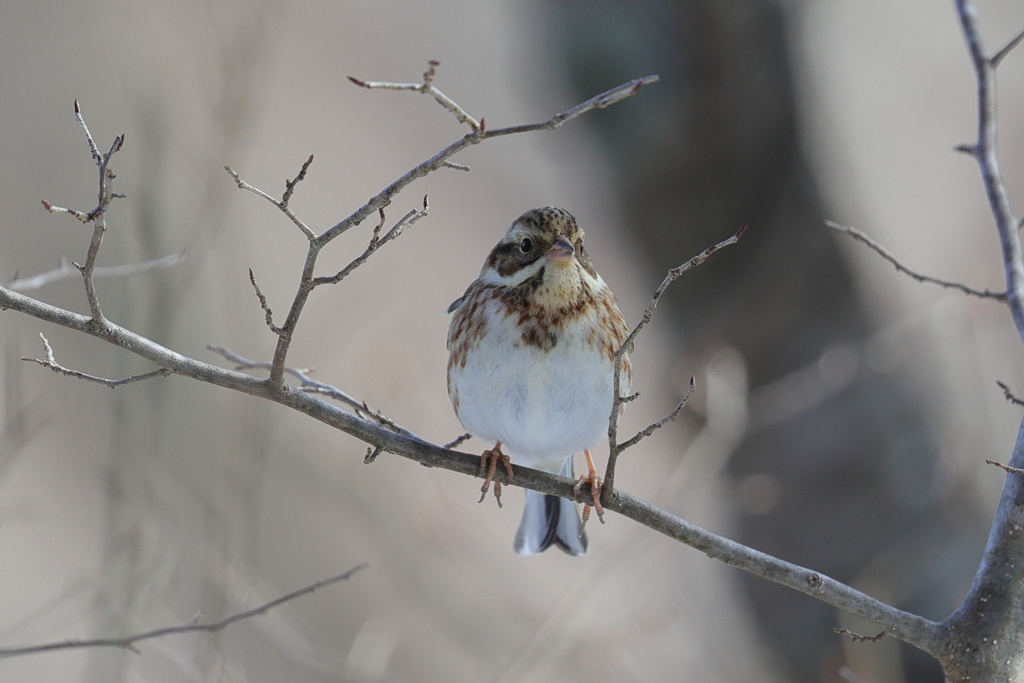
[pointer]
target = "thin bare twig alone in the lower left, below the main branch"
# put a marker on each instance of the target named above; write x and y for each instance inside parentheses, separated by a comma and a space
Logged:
(130, 643)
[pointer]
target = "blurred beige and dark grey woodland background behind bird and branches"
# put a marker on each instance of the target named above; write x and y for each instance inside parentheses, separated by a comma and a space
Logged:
(843, 412)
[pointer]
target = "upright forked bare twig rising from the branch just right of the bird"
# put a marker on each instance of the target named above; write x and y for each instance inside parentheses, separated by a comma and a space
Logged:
(615, 447)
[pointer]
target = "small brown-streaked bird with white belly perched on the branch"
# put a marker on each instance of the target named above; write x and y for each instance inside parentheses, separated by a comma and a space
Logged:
(531, 365)
